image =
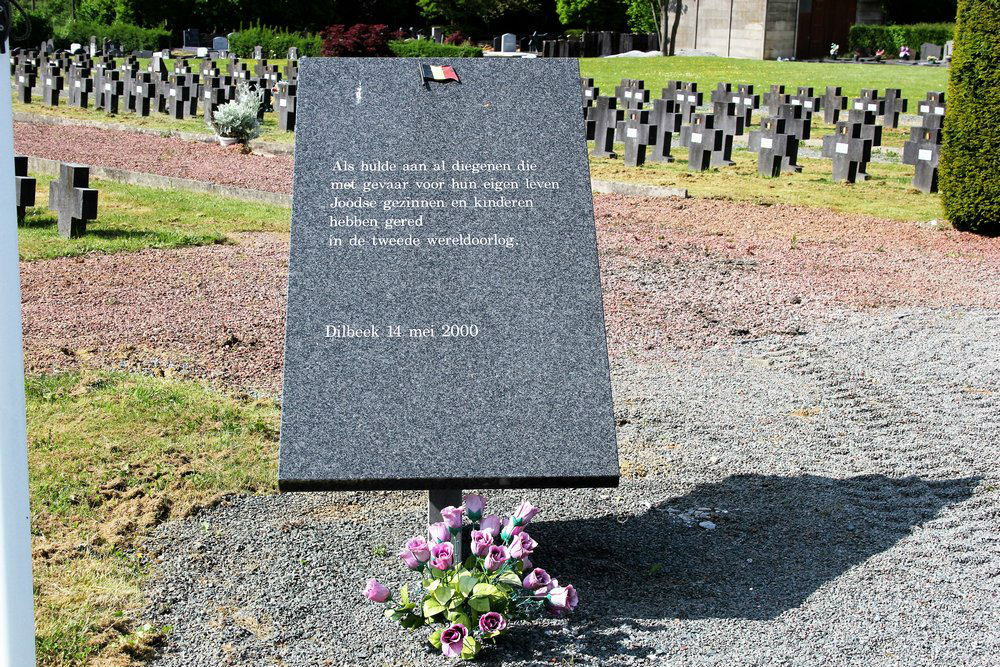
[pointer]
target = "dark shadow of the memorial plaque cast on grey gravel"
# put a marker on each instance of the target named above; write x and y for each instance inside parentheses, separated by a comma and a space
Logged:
(780, 539)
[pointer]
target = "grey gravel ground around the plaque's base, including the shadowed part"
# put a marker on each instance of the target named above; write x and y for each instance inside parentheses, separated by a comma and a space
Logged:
(852, 474)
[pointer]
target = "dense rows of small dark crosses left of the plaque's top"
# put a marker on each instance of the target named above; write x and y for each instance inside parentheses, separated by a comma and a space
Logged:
(119, 85)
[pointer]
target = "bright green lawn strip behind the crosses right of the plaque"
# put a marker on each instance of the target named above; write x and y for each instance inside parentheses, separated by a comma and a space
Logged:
(914, 81)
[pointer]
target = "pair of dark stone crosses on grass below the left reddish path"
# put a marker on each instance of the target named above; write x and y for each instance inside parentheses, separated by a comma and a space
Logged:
(70, 195)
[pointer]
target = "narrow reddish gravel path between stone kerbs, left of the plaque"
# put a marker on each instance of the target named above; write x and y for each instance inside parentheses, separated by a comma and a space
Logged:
(155, 155)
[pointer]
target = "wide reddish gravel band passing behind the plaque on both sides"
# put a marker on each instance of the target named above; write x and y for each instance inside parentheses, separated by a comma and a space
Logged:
(679, 276)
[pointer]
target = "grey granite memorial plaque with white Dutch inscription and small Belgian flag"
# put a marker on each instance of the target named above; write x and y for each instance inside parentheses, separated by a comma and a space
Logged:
(445, 326)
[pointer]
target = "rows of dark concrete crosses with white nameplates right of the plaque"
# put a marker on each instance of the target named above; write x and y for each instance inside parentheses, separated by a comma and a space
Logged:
(647, 127)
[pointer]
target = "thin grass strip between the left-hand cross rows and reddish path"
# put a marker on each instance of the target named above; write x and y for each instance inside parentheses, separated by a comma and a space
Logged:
(155, 121)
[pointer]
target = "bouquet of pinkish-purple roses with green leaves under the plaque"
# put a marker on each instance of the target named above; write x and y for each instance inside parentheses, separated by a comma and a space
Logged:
(472, 602)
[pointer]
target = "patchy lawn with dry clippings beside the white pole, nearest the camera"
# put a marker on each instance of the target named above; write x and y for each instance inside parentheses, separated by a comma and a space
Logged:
(111, 456)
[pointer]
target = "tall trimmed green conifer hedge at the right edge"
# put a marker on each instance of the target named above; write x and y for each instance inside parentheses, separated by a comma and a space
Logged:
(970, 157)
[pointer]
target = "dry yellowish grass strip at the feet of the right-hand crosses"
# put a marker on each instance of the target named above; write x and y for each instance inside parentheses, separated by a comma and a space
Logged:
(888, 192)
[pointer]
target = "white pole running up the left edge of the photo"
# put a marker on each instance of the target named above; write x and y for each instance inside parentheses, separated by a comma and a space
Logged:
(17, 616)
